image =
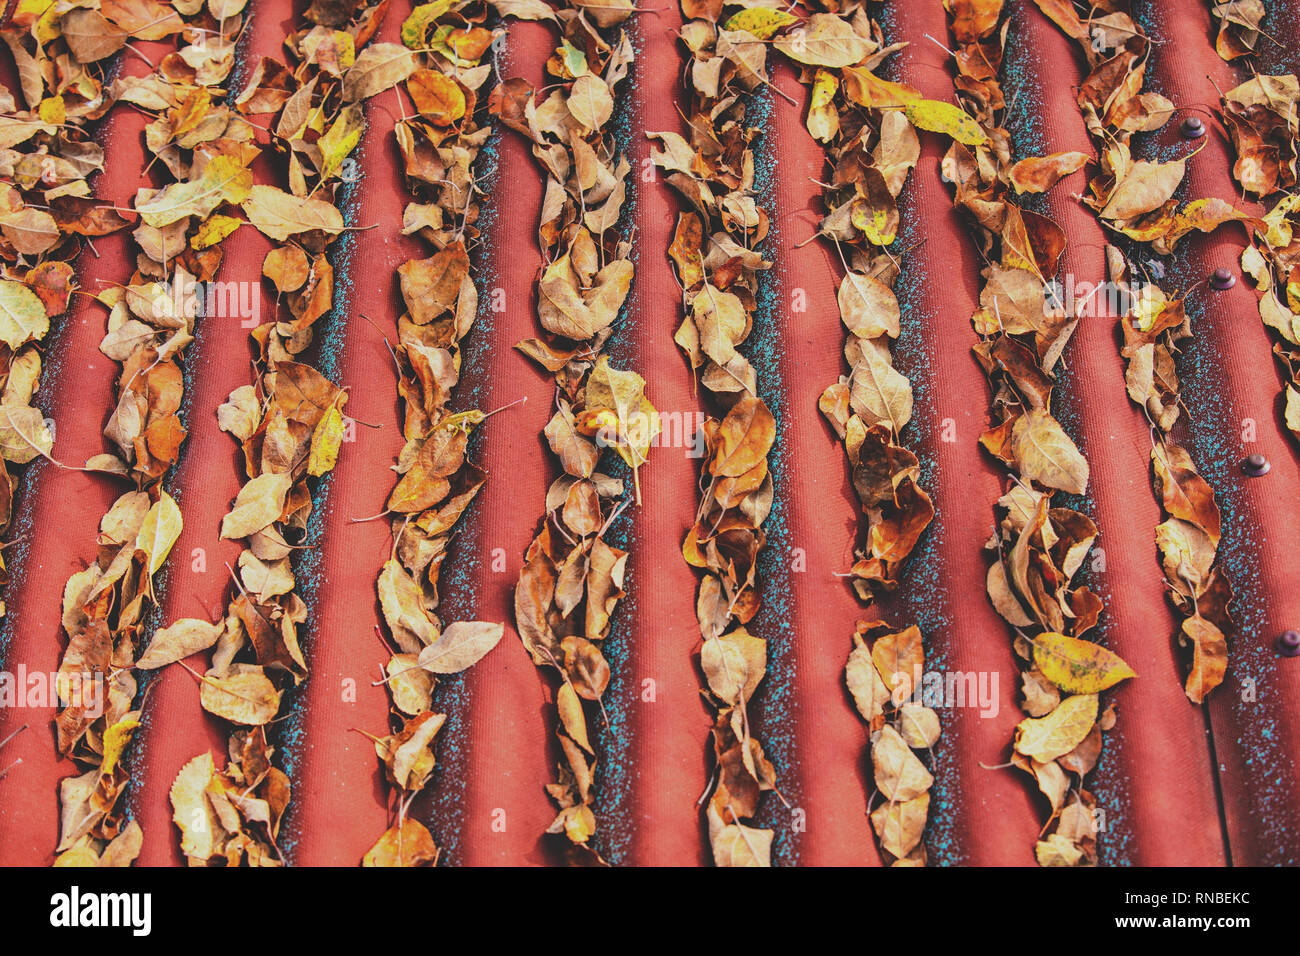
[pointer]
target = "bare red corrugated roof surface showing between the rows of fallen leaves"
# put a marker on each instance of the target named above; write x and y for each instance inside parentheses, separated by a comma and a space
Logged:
(1180, 784)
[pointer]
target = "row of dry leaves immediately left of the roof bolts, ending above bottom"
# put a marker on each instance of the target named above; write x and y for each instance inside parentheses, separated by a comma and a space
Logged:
(1136, 200)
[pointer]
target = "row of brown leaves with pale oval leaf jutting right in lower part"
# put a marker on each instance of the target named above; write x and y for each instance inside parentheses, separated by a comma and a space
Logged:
(440, 146)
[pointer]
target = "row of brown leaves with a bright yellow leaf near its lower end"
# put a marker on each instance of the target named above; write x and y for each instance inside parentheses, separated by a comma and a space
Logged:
(1038, 548)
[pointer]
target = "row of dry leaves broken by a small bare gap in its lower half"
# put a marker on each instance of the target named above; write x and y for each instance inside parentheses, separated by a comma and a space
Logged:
(870, 154)
